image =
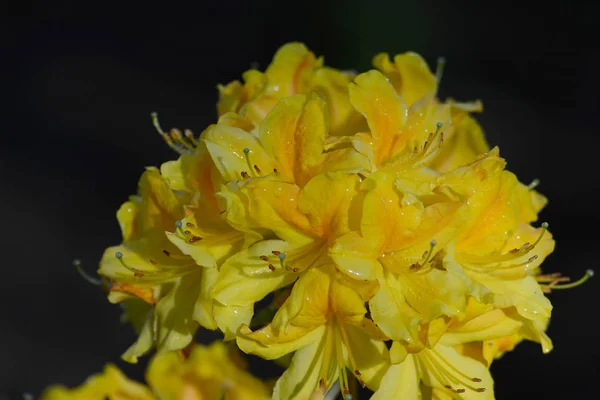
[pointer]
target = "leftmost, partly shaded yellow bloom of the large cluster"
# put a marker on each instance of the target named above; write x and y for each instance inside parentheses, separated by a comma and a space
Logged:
(173, 239)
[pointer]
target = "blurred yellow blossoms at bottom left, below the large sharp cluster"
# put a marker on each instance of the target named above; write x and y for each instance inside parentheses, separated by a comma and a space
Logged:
(208, 373)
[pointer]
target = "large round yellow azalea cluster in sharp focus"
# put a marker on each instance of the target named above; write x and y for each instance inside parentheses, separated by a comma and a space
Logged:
(387, 240)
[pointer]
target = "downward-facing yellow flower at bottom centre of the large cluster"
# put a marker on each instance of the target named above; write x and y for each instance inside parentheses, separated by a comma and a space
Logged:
(323, 321)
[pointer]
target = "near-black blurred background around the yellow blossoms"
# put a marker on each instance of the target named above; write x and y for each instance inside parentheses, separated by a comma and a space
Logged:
(79, 83)
